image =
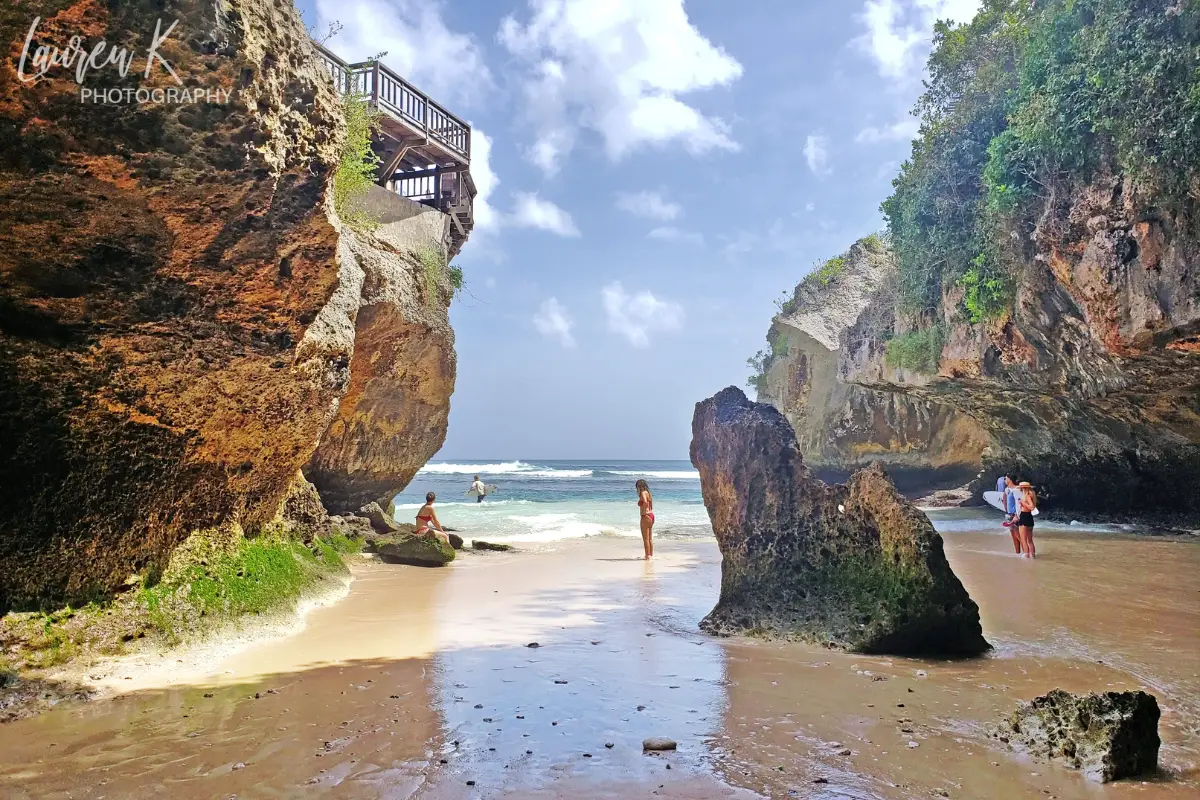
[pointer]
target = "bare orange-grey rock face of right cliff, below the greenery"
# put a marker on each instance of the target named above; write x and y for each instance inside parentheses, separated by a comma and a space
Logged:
(1091, 383)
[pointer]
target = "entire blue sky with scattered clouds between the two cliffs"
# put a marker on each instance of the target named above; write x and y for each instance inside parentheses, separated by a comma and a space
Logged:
(653, 173)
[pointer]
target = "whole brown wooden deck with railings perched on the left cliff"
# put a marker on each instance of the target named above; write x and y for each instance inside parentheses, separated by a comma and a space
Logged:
(424, 149)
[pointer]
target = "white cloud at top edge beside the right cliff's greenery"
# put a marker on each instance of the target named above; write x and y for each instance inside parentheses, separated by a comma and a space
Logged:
(899, 33)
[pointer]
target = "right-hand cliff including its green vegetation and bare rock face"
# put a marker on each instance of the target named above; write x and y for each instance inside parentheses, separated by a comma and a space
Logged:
(1047, 230)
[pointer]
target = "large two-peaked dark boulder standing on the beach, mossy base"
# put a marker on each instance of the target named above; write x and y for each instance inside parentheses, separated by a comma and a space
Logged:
(853, 567)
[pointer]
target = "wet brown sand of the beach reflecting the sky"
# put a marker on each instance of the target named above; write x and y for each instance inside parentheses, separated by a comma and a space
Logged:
(421, 681)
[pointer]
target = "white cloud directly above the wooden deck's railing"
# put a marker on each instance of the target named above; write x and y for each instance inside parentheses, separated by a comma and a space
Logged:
(442, 63)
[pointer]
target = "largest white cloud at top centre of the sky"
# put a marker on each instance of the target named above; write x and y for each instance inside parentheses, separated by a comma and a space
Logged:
(616, 68)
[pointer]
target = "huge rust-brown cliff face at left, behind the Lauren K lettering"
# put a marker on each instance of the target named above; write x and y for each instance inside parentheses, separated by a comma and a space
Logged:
(179, 305)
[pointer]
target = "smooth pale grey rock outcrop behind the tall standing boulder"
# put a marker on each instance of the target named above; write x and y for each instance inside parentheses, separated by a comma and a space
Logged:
(839, 426)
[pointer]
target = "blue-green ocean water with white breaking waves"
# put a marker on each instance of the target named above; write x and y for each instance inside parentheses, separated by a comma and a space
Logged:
(551, 501)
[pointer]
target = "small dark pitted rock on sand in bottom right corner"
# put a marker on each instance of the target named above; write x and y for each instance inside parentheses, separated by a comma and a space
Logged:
(1107, 737)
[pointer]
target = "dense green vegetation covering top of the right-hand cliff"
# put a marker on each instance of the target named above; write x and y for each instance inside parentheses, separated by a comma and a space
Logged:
(1031, 100)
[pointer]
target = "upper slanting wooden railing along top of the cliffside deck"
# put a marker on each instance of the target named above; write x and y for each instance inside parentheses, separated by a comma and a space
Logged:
(391, 93)
